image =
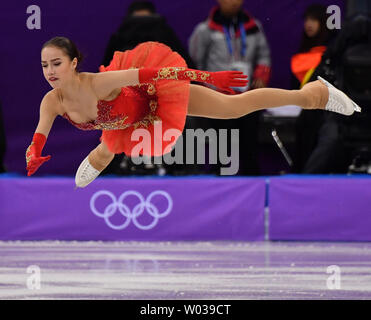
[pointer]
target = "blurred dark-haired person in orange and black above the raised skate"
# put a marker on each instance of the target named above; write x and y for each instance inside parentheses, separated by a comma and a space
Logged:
(319, 138)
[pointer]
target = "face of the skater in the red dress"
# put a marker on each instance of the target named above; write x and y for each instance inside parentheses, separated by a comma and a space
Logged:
(57, 66)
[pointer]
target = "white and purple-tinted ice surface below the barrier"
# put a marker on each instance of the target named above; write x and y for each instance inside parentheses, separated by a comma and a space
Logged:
(185, 270)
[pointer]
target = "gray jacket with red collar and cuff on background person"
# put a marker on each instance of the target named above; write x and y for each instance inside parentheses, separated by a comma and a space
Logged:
(209, 49)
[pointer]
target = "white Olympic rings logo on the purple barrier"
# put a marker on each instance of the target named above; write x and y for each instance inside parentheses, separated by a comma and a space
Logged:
(135, 213)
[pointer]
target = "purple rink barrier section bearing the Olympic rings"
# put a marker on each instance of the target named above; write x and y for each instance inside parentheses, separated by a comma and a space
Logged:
(193, 208)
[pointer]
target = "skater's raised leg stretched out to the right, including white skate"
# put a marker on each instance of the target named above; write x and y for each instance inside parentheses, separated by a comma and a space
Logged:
(205, 102)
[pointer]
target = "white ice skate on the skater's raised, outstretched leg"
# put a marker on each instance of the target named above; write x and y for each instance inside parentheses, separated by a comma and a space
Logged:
(338, 101)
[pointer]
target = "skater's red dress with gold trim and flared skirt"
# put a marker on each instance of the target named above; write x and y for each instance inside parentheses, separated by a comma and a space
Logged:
(140, 106)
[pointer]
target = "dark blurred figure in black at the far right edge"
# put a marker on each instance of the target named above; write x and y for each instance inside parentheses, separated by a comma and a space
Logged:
(347, 63)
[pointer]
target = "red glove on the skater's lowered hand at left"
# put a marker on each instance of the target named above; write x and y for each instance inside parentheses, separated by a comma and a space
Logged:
(33, 154)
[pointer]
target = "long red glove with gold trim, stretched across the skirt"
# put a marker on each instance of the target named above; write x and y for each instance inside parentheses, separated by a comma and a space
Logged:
(221, 79)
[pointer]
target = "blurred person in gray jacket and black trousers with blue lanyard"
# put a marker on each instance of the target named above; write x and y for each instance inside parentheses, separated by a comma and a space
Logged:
(231, 39)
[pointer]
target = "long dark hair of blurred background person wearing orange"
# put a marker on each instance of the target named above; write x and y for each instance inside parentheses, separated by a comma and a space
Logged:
(316, 12)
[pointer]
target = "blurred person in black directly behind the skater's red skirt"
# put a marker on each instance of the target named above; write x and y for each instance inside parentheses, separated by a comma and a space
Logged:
(142, 23)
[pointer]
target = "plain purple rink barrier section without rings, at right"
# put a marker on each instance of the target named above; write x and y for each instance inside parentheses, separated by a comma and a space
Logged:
(329, 208)
